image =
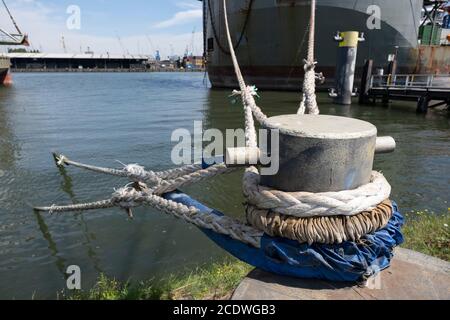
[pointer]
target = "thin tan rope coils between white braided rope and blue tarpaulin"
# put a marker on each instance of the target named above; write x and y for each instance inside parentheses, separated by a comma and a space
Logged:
(323, 230)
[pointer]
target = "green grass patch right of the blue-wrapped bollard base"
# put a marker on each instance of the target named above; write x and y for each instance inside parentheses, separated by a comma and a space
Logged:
(428, 233)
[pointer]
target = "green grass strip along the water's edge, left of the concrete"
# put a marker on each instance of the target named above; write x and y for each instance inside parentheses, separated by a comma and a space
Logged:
(214, 282)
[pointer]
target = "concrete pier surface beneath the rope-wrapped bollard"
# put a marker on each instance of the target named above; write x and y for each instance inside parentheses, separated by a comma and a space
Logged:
(412, 276)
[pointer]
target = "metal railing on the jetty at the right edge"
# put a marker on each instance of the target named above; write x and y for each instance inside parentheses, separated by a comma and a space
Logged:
(411, 81)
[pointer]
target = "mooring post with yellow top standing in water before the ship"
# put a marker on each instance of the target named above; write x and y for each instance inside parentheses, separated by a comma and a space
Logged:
(346, 65)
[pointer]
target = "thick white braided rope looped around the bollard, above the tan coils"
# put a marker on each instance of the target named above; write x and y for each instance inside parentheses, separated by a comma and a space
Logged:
(306, 204)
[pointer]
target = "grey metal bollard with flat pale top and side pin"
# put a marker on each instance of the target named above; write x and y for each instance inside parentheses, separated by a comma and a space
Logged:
(324, 153)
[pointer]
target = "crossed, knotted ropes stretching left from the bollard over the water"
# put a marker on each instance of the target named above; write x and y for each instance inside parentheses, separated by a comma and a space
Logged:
(129, 197)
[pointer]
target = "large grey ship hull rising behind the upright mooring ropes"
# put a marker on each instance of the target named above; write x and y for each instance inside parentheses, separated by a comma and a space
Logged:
(274, 41)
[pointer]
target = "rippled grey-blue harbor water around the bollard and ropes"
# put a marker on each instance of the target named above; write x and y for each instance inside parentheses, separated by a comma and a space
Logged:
(109, 119)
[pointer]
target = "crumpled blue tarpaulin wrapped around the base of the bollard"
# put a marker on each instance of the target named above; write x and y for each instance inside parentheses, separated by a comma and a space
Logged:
(348, 261)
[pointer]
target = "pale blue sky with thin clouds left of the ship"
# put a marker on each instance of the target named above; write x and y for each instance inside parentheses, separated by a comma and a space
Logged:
(167, 23)
